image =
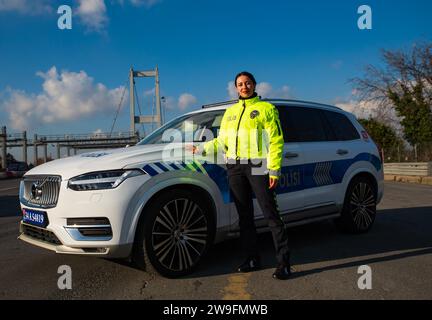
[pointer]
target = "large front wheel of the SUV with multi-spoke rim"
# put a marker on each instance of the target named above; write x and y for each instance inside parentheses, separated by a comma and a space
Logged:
(174, 233)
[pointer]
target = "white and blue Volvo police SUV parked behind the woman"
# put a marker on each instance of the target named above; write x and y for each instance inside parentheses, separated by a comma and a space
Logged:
(163, 209)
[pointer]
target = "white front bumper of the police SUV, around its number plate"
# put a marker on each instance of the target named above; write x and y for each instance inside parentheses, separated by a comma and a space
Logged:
(115, 206)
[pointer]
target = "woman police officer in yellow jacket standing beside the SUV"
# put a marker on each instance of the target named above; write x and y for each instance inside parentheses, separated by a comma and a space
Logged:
(251, 137)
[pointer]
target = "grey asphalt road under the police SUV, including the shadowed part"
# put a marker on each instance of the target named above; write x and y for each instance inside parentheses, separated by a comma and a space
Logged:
(398, 250)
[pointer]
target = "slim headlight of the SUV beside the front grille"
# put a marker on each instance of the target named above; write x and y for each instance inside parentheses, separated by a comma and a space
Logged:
(102, 179)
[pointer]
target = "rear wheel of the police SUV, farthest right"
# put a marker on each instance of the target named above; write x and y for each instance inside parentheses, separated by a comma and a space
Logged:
(359, 208)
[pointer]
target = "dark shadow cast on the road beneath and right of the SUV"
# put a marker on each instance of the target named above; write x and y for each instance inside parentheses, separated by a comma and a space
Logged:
(395, 230)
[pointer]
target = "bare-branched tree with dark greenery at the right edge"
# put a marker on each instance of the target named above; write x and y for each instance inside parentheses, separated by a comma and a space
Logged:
(405, 84)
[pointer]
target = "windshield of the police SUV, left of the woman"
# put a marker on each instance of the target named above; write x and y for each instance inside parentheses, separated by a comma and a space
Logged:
(198, 127)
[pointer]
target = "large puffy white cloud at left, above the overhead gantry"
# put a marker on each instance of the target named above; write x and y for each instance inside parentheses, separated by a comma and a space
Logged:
(65, 97)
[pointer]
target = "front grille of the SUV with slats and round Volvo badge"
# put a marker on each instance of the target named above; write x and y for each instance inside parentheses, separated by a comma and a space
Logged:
(41, 191)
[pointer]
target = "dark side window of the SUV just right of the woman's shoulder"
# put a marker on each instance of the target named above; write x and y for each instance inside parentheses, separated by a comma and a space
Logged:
(302, 124)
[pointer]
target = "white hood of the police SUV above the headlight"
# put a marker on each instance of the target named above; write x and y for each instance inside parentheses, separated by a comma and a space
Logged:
(112, 159)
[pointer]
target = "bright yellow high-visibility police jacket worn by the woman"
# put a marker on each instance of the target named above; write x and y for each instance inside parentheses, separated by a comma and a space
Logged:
(250, 129)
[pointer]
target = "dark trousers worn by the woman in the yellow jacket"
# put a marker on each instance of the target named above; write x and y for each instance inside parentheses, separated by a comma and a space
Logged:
(242, 183)
